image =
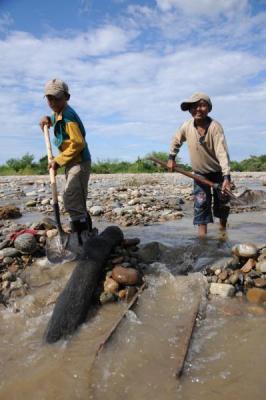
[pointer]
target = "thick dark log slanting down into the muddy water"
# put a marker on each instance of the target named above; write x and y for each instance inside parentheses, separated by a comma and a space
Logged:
(73, 303)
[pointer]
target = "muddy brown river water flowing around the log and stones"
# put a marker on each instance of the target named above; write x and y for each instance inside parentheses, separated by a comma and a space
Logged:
(227, 356)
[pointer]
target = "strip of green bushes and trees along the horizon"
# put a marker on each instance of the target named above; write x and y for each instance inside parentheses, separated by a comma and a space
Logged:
(27, 166)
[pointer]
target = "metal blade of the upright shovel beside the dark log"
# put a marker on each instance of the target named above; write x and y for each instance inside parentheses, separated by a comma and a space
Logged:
(57, 251)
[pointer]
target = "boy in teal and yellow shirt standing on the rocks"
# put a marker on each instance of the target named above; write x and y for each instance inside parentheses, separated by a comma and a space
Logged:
(74, 154)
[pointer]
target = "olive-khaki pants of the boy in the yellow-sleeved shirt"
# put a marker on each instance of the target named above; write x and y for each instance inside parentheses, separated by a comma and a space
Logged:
(76, 190)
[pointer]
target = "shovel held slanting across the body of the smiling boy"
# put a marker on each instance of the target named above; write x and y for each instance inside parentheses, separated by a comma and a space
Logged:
(247, 198)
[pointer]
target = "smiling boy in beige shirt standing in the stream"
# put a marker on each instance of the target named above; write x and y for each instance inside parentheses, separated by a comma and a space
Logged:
(209, 159)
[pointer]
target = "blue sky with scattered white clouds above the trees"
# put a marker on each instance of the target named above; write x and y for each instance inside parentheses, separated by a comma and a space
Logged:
(129, 64)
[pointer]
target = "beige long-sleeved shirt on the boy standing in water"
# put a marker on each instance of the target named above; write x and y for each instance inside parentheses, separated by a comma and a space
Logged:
(212, 155)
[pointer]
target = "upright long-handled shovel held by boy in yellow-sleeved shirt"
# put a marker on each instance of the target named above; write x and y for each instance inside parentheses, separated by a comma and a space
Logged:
(56, 250)
